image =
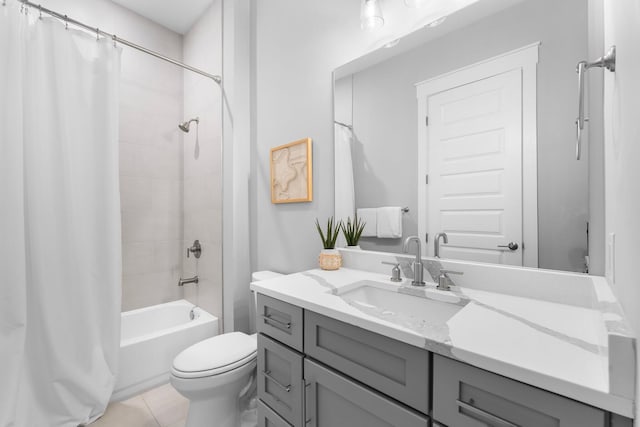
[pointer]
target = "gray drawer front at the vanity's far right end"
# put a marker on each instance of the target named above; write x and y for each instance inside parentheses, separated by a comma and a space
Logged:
(465, 396)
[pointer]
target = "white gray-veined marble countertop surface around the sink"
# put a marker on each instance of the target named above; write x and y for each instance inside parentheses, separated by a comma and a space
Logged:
(558, 347)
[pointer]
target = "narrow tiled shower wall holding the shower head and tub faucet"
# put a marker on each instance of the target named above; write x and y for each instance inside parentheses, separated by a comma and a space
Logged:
(202, 165)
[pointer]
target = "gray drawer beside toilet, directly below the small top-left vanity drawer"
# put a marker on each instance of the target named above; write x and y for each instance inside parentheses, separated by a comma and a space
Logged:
(280, 383)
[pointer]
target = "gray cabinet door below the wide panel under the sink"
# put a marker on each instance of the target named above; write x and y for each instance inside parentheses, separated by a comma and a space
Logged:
(333, 400)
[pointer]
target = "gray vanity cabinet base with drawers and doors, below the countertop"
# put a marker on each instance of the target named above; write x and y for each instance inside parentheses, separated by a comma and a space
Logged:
(315, 371)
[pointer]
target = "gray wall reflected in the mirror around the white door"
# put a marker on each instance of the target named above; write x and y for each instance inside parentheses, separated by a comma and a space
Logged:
(384, 119)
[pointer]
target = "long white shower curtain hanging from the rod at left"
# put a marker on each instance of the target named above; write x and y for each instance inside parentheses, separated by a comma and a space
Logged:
(60, 256)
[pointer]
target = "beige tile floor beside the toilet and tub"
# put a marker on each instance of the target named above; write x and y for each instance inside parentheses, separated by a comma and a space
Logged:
(159, 407)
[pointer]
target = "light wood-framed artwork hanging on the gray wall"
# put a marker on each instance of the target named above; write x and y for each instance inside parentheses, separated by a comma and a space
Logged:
(291, 178)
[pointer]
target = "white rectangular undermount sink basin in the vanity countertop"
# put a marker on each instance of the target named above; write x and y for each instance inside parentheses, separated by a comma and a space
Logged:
(422, 308)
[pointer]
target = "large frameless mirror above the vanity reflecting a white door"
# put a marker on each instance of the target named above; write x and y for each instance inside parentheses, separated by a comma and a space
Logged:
(496, 163)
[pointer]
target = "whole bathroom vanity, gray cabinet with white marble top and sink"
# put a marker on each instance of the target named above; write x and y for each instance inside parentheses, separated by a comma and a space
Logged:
(352, 348)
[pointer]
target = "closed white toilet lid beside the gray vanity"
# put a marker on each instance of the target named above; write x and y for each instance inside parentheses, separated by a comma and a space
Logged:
(216, 355)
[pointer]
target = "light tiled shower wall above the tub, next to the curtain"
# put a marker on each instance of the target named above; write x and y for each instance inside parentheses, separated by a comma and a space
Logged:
(151, 168)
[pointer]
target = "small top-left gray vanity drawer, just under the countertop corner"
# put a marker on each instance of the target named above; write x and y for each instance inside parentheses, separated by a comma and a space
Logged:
(280, 320)
